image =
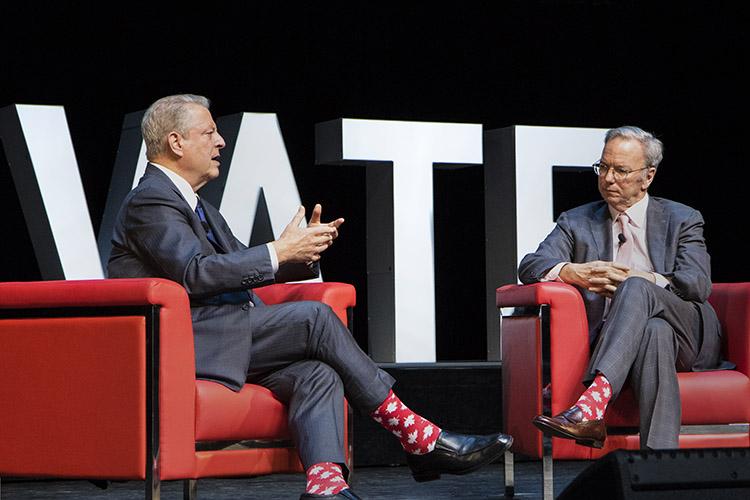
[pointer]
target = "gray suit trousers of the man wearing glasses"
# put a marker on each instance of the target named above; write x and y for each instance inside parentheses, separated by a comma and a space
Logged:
(649, 334)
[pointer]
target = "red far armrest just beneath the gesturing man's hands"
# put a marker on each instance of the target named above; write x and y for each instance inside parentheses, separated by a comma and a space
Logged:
(339, 296)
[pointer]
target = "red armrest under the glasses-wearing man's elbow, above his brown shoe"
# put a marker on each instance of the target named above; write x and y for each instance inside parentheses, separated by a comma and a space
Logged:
(526, 354)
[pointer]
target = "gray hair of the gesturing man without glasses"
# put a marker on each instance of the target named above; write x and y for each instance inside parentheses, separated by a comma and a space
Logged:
(164, 116)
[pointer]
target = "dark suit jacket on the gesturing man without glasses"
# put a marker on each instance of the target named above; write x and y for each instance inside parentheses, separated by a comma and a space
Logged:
(157, 235)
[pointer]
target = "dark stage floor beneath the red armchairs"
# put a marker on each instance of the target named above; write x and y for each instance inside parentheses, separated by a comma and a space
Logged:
(393, 483)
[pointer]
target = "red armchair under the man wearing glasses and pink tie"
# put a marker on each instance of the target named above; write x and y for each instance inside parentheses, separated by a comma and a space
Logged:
(545, 341)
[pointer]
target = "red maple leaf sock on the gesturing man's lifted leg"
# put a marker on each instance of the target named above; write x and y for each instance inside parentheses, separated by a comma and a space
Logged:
(417, 434)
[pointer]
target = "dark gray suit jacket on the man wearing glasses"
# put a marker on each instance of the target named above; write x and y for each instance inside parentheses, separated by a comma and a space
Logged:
(676, 247)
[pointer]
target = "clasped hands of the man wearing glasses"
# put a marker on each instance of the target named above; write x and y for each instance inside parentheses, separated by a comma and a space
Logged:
(600, 276)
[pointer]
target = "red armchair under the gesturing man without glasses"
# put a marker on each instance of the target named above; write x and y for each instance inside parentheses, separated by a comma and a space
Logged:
(97, 381)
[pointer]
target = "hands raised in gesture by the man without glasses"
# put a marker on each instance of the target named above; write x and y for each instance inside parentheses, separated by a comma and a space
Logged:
(304, 244)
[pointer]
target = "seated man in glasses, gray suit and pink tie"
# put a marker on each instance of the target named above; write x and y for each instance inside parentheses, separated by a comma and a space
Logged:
(642, 268)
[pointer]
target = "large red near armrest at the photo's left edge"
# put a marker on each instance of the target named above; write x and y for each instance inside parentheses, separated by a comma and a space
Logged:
(86, 323)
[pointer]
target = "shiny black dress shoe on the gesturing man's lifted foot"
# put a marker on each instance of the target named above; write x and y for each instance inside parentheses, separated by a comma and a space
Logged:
(457, 454)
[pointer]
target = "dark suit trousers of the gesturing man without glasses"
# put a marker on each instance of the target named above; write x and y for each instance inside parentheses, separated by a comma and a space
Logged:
(304, 354)
